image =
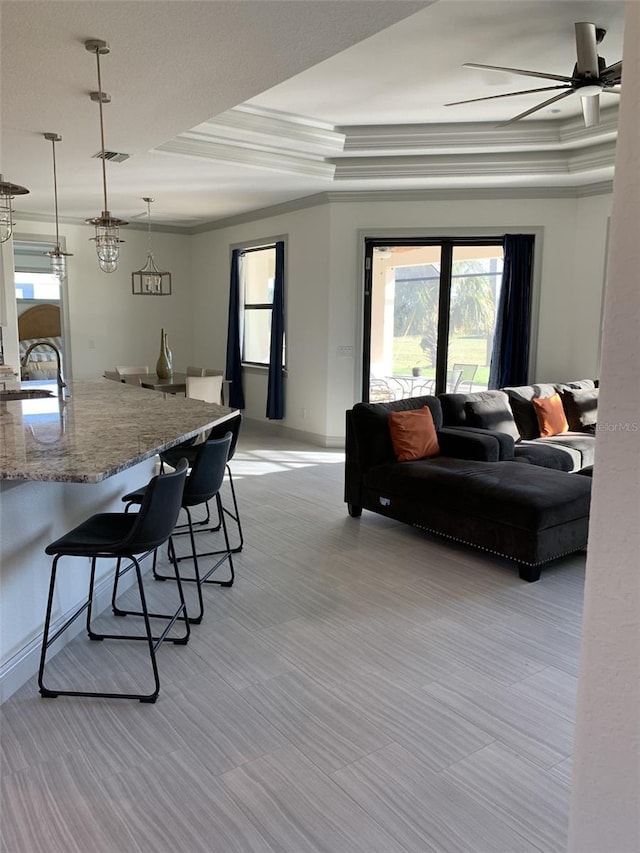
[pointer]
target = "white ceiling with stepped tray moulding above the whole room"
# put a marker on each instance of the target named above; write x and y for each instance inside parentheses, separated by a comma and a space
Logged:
(228, 107)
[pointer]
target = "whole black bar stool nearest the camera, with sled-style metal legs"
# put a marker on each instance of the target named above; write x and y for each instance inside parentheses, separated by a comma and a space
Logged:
(122, 535)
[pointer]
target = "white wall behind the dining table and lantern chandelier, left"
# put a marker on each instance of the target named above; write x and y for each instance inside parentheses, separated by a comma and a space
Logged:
(108, 324)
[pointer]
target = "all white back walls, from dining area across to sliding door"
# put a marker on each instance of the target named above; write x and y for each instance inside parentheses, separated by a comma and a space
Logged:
(324, 294)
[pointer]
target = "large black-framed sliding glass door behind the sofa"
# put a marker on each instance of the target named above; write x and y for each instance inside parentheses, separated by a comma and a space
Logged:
(429, 316)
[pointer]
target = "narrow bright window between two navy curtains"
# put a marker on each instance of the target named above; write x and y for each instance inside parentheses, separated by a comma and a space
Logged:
(257, 271)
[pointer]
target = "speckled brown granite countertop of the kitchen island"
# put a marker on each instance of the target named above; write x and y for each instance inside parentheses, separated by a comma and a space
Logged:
(102, 428)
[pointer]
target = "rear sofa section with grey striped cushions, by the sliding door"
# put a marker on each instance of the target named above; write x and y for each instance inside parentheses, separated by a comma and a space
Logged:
(509, 414)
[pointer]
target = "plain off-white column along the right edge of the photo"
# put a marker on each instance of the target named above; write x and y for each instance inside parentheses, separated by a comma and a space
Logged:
(605, 805)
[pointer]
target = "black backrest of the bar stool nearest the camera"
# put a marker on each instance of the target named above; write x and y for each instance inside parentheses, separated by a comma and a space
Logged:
(158, 512)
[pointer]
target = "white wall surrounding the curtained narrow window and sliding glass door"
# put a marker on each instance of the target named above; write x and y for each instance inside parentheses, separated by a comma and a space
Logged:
(324, 290)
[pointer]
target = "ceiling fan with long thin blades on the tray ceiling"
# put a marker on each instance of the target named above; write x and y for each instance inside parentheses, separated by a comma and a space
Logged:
(591, 76)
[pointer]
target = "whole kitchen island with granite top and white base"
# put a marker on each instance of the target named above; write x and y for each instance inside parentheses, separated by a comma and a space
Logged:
(62, 460)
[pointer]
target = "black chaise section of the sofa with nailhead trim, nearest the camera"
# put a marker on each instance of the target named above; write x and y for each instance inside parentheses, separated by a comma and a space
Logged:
(528, 513)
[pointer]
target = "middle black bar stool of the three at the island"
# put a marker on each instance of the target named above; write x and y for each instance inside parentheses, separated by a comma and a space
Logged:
(202, 485)
